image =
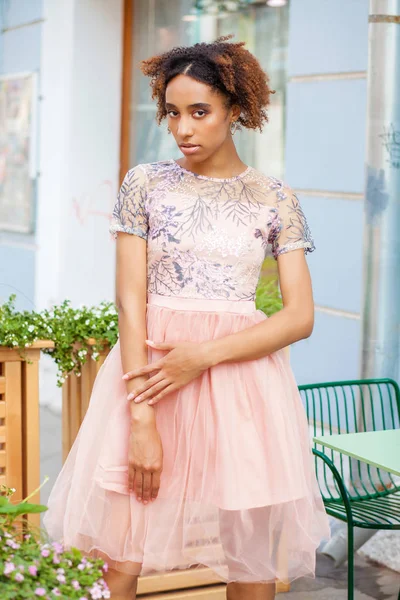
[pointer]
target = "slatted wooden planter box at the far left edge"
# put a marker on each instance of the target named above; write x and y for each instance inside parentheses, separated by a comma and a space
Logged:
(19, 421)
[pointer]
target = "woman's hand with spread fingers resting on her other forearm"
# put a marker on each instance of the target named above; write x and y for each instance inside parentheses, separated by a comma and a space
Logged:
(184, 362)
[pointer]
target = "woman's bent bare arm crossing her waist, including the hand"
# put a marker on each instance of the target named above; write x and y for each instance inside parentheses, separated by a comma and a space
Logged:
(185, 361)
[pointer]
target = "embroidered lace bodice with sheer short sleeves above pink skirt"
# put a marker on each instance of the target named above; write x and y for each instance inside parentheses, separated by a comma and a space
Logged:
(207, 237)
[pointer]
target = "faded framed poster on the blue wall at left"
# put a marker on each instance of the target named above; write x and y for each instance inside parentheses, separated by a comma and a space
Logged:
(17, 151)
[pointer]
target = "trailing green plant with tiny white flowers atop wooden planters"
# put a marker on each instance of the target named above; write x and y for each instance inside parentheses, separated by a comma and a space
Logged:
(69, 328)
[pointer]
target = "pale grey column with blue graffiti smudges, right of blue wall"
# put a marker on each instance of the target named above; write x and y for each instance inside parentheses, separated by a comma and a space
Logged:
(381, 288)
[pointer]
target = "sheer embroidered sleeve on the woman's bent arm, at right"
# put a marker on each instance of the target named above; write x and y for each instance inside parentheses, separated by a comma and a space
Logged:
(292, 231)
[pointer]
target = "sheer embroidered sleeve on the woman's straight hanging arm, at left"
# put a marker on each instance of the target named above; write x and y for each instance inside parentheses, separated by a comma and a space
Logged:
(129, 214)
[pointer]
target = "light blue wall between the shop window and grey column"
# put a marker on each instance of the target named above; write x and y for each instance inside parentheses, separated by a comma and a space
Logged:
(325, 154)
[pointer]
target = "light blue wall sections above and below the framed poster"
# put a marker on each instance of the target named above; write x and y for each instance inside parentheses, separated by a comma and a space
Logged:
(20, 42)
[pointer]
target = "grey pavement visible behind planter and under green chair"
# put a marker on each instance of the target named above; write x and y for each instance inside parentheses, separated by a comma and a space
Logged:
(372, 580)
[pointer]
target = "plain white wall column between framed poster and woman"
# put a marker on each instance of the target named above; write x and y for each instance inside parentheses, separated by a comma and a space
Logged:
(79, 149)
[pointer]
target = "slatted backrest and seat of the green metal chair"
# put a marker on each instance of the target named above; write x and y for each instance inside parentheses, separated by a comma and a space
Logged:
(348, 407)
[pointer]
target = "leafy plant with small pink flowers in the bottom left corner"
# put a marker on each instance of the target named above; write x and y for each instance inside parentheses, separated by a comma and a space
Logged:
(31, 567)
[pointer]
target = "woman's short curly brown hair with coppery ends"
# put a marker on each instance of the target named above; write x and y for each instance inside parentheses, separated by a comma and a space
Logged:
(225, 66)
